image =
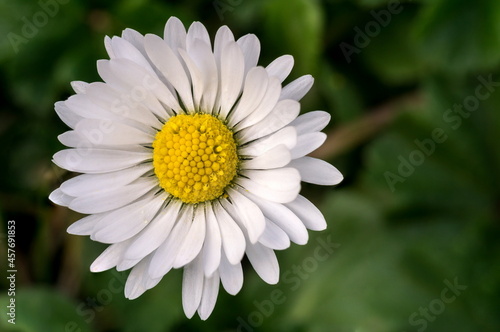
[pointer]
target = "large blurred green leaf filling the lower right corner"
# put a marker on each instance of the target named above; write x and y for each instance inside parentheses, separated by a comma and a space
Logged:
(400, 250)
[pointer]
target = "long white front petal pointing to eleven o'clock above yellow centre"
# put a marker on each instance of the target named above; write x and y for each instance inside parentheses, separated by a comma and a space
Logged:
(167, 62)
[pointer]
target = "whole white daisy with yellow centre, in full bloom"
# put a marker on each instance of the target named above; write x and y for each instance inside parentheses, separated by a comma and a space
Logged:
(192, 156)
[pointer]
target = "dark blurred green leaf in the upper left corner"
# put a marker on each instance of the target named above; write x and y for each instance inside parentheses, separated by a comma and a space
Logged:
(39, 33)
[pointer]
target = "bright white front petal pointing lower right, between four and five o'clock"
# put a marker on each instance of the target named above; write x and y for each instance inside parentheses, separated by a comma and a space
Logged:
(283, 218)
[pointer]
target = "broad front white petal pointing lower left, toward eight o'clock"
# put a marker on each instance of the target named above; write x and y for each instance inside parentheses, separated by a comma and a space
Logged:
(122, 224)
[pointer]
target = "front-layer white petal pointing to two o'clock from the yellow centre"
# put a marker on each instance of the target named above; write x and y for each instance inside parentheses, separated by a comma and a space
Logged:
(283, 113)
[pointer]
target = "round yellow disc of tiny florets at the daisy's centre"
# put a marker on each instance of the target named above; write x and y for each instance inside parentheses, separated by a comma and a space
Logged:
(194, 157)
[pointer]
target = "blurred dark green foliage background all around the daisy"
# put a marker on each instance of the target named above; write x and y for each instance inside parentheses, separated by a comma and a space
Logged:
(405, 223)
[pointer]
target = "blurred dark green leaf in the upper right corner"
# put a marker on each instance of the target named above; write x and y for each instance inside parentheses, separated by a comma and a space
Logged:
(459, 36)
